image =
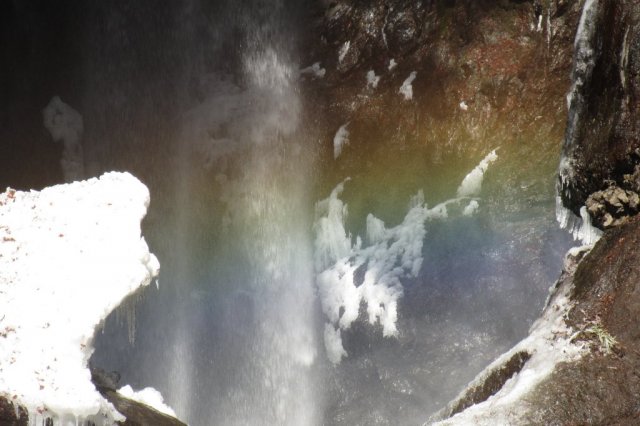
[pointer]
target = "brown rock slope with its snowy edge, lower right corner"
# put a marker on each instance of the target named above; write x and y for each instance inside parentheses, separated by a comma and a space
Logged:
(595, 380)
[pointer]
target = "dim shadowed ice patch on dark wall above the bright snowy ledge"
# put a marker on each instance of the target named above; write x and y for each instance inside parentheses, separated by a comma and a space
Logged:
(65, 125)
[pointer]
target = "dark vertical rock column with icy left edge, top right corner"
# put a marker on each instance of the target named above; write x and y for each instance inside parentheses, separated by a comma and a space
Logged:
(602, 140)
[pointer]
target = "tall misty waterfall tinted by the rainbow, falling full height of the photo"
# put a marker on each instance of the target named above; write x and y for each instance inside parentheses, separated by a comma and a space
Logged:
(254, 124)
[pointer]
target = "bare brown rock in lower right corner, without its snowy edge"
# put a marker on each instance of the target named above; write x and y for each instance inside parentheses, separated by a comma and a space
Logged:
(601, 388)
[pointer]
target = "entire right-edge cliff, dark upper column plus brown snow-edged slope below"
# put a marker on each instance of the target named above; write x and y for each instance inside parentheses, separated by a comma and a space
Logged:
(599, 169)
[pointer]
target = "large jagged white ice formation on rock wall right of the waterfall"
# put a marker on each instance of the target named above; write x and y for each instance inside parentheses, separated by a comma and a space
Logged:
(350, 273)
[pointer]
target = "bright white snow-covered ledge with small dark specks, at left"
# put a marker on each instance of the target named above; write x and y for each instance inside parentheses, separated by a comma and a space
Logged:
(68, 256)
